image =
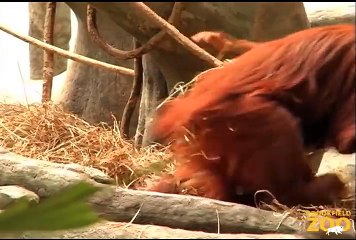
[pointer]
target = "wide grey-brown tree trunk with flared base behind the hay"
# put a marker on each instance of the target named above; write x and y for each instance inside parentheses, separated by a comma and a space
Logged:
(95, 93)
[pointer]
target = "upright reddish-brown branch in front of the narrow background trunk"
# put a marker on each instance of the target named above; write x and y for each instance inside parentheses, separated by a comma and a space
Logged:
(48, 56)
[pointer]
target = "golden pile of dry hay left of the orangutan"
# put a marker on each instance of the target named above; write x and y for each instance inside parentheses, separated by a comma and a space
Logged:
(46, 132)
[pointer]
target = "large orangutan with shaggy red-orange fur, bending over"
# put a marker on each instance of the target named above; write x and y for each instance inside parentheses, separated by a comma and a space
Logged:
(244, 127)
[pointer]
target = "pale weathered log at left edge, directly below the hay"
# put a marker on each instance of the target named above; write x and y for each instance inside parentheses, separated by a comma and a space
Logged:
(43, 177)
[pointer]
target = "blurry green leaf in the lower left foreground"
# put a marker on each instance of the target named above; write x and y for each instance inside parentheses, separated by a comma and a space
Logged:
(64, 210)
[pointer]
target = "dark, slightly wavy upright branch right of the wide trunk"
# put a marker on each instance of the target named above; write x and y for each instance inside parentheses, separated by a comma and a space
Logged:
(134, 95)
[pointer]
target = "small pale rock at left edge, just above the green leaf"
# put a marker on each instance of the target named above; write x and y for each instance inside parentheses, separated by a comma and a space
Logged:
(8, 194)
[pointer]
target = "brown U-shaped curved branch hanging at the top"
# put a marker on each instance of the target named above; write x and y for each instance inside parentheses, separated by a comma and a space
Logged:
(122, 54)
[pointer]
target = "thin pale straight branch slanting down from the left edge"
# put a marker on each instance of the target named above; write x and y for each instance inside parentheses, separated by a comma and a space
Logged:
(69, 55)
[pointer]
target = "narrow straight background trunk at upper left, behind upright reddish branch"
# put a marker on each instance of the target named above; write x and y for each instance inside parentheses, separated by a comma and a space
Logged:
(62, 34)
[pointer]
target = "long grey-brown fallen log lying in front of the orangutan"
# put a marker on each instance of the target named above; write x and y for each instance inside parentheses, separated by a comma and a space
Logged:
(189, 212)
